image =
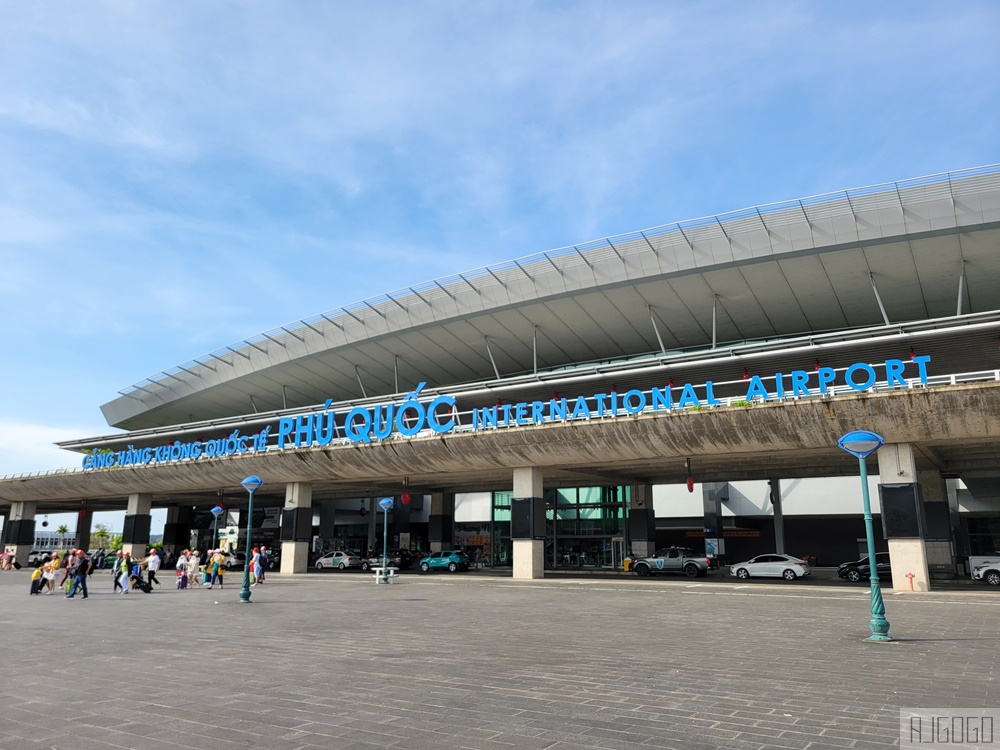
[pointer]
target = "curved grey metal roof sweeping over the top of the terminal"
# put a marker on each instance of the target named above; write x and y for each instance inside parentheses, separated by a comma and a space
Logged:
(903, 251)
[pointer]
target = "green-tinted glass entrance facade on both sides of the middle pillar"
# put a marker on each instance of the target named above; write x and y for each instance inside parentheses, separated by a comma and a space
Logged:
(586, 527)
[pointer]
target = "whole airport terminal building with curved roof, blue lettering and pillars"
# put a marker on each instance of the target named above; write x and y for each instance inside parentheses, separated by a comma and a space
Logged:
(684, 385)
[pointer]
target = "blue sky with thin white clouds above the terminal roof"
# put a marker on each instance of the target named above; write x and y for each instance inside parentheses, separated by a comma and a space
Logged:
(180, 176)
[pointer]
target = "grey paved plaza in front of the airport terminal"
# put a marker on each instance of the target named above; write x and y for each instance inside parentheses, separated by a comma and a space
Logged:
(444, 662)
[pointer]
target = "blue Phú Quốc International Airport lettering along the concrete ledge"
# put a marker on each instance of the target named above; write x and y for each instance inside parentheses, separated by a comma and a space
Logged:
(413, 415)
